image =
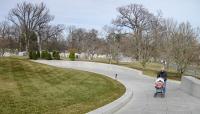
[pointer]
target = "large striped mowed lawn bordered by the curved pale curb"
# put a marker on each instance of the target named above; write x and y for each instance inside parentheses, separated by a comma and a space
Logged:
(32, 88)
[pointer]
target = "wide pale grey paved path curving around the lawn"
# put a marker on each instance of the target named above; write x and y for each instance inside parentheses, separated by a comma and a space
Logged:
(142, 102)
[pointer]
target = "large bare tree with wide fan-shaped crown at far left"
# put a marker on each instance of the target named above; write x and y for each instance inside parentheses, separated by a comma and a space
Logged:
(29, 18)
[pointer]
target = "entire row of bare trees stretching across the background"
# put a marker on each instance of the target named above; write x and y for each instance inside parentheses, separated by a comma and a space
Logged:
(135, 32)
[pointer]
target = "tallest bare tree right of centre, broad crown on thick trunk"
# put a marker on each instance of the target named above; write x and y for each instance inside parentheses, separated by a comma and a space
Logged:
(136, 18)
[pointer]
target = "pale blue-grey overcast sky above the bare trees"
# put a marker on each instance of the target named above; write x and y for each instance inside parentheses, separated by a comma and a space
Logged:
(97, 13)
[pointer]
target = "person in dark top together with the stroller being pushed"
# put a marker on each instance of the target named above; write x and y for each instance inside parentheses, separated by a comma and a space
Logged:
(161, 82)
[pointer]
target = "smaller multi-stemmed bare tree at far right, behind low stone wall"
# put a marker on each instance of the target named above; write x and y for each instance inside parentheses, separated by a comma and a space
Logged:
(184, 42)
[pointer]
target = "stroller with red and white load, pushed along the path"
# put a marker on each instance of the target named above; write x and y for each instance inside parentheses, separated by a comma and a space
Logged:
(159, 85)
